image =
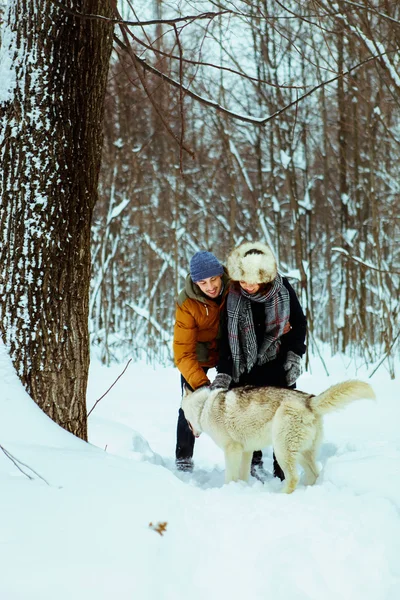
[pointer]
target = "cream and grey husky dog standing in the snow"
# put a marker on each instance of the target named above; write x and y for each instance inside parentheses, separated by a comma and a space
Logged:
(249, 418)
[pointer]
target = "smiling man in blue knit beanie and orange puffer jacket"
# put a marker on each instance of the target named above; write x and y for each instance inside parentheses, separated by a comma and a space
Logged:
(196, 333)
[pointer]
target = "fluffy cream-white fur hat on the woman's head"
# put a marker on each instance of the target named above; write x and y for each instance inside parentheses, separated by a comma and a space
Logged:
(252, 262)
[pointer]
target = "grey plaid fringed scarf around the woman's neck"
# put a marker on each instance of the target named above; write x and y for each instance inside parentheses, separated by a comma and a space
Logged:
(241, 333)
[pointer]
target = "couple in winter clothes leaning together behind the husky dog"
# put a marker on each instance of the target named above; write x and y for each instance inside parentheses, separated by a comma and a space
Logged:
(244, 320)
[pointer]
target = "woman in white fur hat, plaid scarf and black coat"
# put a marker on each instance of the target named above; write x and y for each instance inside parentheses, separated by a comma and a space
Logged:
(264, 329)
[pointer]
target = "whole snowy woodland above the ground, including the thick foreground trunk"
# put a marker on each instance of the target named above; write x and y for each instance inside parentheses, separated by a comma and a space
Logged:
(210, 122)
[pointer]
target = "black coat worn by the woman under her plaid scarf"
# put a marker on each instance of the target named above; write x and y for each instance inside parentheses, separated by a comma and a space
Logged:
(272, 372)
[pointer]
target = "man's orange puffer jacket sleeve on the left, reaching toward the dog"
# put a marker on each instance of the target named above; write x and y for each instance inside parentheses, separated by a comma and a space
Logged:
(184, 346)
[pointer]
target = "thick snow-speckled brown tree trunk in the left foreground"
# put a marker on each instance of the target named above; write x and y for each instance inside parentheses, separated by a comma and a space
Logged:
(50, 141)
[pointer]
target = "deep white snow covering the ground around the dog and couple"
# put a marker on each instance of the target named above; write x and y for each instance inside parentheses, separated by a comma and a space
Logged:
(85, 535)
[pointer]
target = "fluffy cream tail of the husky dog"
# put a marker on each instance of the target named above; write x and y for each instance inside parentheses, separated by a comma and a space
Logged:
(341, 394)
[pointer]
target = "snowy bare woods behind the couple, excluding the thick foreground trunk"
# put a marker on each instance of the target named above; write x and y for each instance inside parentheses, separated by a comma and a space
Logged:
(319, 182)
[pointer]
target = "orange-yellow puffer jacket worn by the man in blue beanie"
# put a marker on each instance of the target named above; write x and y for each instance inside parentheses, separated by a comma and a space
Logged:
(196, 332)
